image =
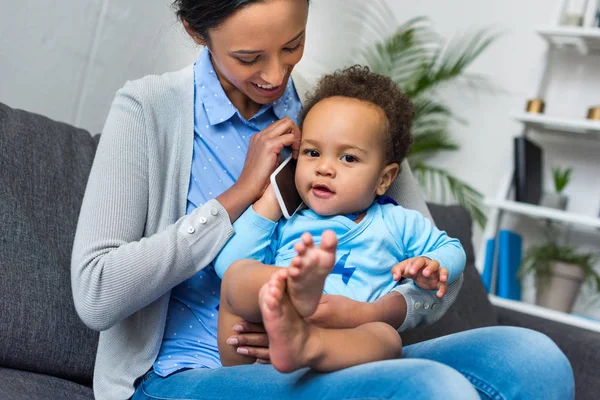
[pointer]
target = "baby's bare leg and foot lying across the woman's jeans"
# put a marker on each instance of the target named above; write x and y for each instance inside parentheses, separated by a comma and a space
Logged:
(295, 344)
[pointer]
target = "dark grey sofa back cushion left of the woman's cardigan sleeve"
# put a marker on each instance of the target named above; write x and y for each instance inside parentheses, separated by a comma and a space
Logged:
(45, 165)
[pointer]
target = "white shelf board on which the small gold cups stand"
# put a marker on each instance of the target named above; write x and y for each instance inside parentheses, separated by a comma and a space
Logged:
(588, 127)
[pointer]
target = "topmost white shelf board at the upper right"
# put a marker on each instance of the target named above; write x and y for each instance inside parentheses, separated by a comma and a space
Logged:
(586, 40)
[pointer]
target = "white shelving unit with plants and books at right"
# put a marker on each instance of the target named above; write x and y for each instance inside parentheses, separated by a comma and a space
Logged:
(587, 41)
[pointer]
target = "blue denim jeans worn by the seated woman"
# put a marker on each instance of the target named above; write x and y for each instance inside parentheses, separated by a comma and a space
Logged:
(500, 363)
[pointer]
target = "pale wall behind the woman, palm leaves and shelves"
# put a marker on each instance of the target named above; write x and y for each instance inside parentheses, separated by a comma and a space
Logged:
(66, 60)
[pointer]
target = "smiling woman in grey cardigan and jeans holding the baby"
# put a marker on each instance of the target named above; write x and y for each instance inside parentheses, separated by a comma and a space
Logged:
(182, 155)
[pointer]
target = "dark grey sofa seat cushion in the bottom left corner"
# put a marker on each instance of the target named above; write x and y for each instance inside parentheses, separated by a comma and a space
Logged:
(22, 385)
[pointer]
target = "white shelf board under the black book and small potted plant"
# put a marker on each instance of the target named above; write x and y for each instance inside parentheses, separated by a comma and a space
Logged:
(543, 212)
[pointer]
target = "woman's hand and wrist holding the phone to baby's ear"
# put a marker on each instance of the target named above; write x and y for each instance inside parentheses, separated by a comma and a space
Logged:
(261, 160)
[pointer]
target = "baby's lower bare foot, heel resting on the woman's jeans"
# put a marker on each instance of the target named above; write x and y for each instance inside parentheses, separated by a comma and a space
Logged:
(291, 344)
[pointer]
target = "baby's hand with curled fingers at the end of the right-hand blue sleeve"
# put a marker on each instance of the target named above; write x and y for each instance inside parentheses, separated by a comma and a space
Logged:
(425, 272)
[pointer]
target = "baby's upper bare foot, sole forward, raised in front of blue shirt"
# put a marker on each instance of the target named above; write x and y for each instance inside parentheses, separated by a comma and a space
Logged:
(308, 270)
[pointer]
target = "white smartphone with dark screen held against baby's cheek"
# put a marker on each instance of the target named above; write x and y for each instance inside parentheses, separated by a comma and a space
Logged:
(284, 184)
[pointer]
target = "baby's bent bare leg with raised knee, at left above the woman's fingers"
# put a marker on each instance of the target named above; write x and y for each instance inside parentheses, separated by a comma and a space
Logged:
(239, 302)
